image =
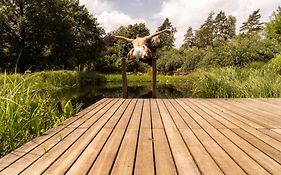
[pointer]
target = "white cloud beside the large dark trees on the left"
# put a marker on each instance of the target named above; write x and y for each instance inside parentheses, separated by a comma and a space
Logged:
(109, 18)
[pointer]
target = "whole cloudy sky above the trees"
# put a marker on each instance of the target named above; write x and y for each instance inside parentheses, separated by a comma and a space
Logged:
(111, 14)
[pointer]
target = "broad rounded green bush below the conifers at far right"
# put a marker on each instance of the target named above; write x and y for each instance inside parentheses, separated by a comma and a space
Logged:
(241, 51)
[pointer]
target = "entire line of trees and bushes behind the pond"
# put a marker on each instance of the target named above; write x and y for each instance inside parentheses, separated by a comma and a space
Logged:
(61, 34)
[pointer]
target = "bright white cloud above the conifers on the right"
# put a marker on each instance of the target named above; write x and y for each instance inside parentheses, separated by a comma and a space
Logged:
(184, 13)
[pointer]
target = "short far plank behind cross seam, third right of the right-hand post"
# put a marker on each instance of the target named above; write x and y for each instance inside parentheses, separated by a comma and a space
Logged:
(185, 115)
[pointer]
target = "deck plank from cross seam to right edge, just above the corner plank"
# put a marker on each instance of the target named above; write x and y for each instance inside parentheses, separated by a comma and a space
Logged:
(270, 151)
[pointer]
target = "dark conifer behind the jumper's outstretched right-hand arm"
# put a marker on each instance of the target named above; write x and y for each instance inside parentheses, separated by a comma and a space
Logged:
(165, 39)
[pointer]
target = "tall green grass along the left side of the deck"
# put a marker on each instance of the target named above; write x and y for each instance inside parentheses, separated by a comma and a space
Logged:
(27, 109)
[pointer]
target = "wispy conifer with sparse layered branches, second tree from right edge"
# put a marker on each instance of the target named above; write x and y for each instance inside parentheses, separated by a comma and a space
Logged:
(253, 23)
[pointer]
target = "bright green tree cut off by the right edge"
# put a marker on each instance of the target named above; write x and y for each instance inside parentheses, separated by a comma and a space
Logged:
(273, 28)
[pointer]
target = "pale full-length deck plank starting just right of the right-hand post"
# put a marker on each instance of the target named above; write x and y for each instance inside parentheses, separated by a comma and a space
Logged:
(183, 159)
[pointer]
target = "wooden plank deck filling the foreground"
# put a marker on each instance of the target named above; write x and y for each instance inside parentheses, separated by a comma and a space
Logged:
(158, 136)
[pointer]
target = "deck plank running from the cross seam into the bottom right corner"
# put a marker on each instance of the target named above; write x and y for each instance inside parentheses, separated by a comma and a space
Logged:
(269, 164)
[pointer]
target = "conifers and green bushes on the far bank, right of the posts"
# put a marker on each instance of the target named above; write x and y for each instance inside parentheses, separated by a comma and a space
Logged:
(216, 44)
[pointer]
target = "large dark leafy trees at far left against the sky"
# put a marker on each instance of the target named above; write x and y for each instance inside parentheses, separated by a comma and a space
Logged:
(55, 34)
